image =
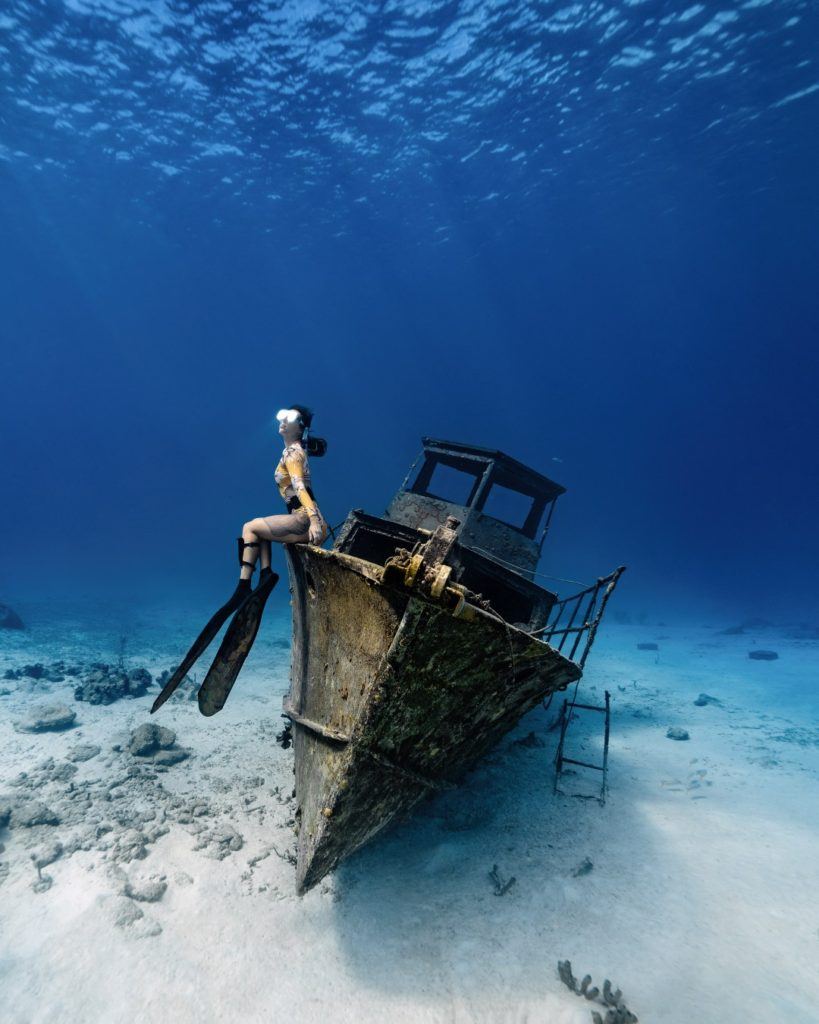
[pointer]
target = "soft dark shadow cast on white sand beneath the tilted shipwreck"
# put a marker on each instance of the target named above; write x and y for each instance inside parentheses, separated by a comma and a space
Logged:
(418, 911)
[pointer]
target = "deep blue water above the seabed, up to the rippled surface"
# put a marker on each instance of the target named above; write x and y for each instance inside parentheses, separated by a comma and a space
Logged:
(584, 234)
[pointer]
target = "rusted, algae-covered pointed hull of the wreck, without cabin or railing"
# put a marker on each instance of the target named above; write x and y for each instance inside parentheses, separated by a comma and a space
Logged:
(393, 697)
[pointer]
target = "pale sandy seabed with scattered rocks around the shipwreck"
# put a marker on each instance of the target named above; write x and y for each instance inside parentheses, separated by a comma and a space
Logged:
(166, 892)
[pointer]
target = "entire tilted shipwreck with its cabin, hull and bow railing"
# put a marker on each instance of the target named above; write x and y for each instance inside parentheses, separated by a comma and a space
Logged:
(420, 639)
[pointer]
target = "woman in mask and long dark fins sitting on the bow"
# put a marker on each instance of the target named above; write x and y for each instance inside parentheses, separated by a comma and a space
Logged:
(304, 524)
